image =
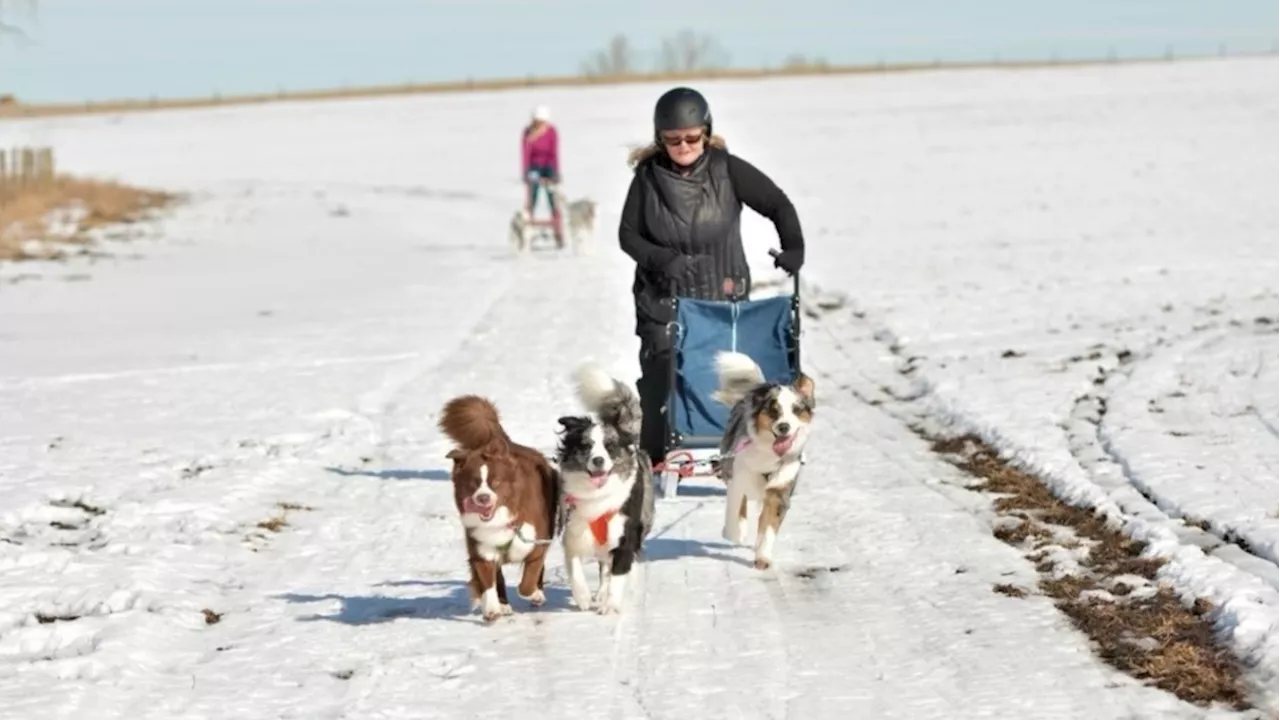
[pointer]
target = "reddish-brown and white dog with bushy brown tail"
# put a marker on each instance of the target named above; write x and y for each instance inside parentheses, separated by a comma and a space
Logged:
(509, 499)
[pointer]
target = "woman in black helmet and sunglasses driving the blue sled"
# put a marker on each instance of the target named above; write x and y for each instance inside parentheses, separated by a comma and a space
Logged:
(682, 224)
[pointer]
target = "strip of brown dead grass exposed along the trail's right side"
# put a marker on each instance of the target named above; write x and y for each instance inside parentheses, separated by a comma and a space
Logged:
(1151, 636)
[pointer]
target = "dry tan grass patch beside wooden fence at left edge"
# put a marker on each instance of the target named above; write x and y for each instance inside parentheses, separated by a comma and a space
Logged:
(26, 213)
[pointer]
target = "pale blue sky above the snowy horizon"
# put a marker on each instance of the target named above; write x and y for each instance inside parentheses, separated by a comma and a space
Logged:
(108, 49)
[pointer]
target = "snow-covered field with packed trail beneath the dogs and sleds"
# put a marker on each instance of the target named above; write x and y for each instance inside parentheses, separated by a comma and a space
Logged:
(225, 495)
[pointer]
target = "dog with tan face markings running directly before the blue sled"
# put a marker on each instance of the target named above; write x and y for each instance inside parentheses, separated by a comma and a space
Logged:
(767, 430)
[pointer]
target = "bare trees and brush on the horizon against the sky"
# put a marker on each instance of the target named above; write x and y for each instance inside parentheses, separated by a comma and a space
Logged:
(682, 53)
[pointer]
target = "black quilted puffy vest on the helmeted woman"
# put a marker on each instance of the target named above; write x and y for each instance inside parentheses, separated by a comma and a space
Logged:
(697, 216)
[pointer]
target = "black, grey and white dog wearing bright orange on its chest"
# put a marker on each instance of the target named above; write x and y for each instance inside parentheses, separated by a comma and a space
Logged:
(609, 489)
